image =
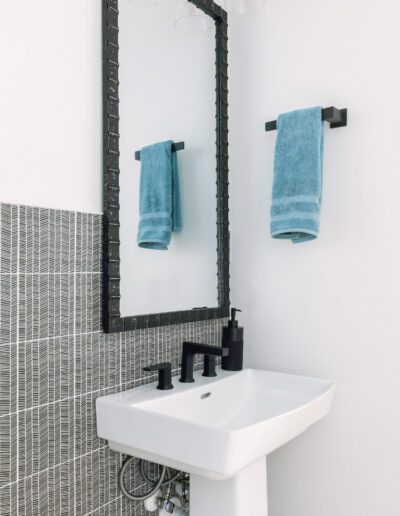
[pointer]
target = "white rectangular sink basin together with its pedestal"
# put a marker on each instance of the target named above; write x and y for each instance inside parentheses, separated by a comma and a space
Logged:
(219, 430)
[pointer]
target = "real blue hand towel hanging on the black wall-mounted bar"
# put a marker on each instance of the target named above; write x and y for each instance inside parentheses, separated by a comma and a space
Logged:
(296, 193)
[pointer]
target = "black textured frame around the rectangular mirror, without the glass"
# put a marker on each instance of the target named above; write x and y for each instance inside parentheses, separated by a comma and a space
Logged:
(112, 320)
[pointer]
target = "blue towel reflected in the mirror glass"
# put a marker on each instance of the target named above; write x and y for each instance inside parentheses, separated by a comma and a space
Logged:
(159, 201)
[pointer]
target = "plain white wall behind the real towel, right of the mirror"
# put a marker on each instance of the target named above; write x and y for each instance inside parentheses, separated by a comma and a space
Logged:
(330, 307)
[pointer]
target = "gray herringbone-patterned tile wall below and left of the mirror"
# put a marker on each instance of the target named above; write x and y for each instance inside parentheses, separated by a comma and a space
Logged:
(55, 361)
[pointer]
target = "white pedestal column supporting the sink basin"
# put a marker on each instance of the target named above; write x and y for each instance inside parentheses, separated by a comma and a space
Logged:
(242, 495)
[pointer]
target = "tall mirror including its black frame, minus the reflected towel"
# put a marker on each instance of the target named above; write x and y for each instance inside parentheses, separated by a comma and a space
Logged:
(165, 79)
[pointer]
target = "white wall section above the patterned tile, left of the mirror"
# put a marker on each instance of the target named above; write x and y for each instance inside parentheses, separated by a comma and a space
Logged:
(50, 104)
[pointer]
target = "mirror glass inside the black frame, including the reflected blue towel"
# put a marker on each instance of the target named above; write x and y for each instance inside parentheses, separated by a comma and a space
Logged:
(166, 97)
